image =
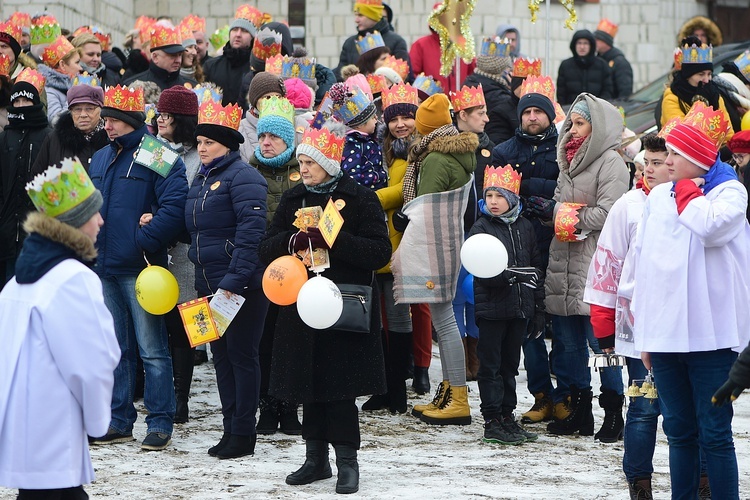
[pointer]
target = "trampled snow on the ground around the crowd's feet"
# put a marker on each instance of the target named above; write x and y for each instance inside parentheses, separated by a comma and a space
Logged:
(400, 458)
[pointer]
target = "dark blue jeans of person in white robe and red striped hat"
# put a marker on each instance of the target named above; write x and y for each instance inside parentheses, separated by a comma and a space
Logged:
(686, 382)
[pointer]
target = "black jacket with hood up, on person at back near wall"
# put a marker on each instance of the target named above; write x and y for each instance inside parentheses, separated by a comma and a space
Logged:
(583, 74)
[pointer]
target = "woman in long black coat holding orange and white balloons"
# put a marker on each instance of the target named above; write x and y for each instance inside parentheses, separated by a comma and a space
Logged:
(326, 370)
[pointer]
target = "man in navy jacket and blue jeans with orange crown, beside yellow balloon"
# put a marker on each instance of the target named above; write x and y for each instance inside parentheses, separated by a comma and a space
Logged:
(131, 192)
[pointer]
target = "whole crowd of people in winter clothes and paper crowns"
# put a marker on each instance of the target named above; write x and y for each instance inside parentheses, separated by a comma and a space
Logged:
(160, 153)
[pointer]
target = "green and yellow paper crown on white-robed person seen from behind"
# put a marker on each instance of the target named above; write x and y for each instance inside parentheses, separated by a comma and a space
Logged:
(59, 189)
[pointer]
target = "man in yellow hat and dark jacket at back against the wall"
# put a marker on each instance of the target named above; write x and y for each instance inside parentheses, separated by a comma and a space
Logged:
(369, 17)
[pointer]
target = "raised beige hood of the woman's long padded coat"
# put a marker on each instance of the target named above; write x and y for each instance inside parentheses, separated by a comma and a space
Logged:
(606, 132)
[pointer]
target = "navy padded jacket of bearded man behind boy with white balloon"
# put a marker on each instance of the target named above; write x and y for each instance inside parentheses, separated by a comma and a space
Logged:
(536, 160)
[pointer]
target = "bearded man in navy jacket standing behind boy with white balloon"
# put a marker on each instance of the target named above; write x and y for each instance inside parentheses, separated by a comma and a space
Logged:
(533, 152)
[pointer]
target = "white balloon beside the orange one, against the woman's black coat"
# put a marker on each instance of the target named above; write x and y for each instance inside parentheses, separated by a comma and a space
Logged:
(319, 303)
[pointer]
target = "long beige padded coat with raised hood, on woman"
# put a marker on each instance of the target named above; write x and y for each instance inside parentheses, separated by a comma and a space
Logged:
(597, 176)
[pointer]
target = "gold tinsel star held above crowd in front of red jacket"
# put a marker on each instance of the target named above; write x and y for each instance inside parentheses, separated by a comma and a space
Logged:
(451, 22)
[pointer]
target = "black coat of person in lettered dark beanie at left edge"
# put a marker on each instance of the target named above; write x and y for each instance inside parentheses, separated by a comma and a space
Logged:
(18, 151)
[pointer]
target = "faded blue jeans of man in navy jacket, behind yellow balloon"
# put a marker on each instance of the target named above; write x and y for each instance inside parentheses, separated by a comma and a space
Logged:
(137, 329)
